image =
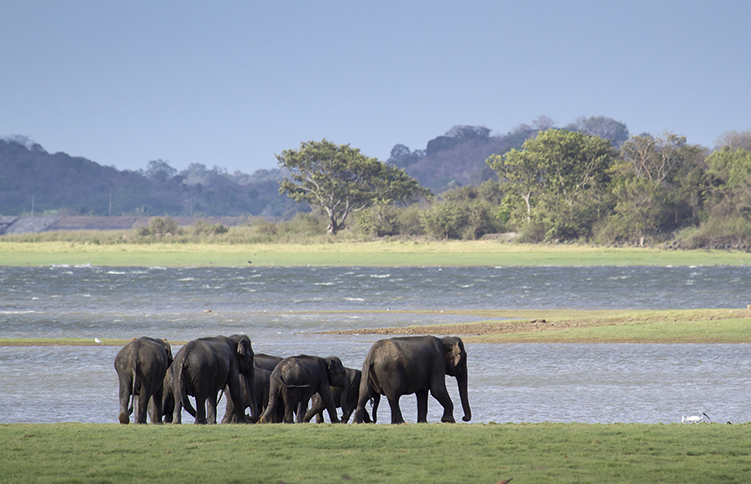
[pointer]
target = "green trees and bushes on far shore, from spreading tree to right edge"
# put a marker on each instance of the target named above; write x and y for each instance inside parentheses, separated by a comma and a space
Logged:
(560, 185)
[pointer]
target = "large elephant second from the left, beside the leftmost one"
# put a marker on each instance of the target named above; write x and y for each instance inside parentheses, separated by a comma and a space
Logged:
(203, 367)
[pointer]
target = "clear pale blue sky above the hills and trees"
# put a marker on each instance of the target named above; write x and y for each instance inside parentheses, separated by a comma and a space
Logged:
(231, 83)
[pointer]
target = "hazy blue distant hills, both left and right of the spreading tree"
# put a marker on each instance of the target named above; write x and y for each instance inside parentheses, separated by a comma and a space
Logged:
(35, 181)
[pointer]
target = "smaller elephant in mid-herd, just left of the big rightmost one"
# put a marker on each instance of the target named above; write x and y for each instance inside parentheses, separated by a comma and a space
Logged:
(297, 378)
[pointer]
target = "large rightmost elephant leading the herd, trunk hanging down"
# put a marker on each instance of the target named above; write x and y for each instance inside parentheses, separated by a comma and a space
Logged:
(401, 366)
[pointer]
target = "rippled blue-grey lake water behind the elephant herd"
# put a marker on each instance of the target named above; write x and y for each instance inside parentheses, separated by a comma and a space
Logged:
(278, 308)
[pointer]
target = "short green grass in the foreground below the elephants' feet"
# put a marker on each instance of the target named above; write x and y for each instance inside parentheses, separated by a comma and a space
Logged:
(478, 453)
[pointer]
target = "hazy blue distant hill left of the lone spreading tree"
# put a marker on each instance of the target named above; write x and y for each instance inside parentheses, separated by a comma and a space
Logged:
(33, 180)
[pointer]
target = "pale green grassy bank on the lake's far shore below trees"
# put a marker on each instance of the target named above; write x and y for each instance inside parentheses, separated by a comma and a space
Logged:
(380, 253)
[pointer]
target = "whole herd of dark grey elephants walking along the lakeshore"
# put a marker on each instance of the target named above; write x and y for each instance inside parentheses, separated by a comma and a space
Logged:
(279, 389)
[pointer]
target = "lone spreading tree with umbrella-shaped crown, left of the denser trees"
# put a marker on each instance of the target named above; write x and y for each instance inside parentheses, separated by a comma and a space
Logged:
(341, 180)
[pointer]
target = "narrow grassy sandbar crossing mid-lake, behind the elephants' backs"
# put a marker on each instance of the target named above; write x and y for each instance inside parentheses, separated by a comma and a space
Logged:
(538, 326)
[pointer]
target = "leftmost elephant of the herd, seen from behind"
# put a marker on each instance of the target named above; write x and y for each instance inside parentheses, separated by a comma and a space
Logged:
(141, 366)
